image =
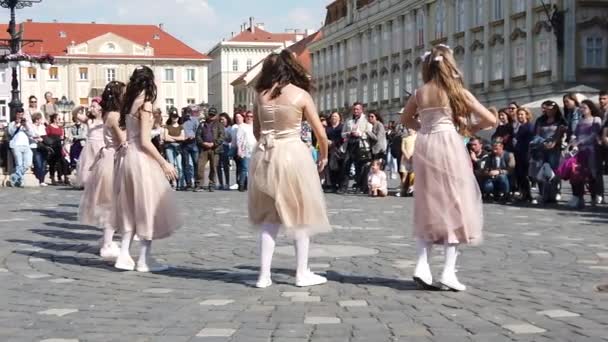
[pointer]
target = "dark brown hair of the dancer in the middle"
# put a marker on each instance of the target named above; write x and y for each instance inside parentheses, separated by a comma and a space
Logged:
(282, 69)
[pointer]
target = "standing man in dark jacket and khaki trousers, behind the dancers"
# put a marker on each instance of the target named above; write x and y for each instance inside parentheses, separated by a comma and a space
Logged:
(209, 138)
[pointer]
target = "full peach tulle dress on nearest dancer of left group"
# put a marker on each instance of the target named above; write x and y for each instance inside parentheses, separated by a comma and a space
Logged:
(144, 201)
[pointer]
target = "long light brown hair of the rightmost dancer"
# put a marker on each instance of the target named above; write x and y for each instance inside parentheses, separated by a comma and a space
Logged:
(440, 68)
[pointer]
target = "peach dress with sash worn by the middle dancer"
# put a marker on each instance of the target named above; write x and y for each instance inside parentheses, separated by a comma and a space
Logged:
(284, 184)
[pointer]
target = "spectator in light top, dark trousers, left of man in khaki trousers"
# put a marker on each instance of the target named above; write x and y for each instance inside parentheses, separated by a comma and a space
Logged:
(190, 149)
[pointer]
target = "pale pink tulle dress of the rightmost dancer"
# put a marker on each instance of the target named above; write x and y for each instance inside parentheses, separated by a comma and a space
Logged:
(447, 204)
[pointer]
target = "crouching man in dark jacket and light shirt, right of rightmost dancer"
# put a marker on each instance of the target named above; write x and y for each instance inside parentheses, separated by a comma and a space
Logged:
(497, 169)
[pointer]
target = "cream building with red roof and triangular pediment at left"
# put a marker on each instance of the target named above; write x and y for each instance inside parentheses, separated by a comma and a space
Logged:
(88, 56)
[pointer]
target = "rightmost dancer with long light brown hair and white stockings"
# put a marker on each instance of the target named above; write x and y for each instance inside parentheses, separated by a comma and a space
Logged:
(447, 206)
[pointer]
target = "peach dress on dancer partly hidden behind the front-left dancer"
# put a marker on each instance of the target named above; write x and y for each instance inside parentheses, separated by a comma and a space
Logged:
(96, 201)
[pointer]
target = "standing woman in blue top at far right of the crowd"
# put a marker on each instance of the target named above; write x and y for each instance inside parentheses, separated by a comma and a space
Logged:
(584, 139)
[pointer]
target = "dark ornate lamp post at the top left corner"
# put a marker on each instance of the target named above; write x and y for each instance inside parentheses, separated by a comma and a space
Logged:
(15, 45)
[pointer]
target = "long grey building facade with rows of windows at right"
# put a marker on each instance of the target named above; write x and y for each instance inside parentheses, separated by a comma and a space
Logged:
(507, 50)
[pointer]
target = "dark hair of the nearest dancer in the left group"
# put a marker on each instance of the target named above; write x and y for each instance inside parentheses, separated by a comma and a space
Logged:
(142, 80)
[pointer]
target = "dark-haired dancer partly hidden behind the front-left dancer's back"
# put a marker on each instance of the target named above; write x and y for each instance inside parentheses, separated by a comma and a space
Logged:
(96, 203)
